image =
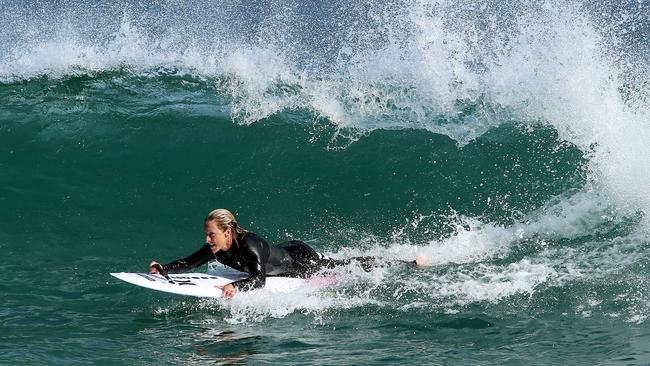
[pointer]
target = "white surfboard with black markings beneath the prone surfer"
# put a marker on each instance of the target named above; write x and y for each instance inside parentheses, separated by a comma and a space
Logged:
(203, 284)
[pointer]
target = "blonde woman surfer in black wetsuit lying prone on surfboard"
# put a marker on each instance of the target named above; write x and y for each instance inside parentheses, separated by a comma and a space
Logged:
(245, 251)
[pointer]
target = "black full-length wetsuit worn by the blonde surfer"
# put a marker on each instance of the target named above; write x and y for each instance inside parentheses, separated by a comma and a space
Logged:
(251, 254)
